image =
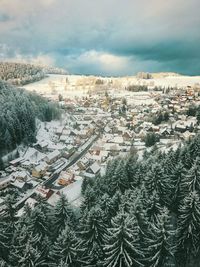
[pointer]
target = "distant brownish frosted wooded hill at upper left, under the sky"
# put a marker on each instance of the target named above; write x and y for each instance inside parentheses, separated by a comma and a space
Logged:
(20, 73)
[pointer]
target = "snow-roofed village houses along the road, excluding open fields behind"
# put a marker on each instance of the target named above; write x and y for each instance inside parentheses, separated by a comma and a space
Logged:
(94, 130)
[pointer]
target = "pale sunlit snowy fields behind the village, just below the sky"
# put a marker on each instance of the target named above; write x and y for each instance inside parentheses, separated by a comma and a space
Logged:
(70, 86)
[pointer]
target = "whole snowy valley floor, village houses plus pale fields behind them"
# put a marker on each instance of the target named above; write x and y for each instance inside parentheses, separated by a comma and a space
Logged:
(101, 120)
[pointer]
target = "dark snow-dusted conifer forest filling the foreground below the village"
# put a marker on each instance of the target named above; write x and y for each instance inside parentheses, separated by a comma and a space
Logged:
(141, 213)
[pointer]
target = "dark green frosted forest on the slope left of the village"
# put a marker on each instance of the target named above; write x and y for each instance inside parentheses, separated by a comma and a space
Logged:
(18, 111)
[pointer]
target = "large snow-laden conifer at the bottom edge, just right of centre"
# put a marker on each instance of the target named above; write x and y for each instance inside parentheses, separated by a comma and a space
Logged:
(122, 248)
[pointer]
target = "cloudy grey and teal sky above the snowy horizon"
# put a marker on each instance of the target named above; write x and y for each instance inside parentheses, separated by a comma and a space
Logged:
(103, 37)
